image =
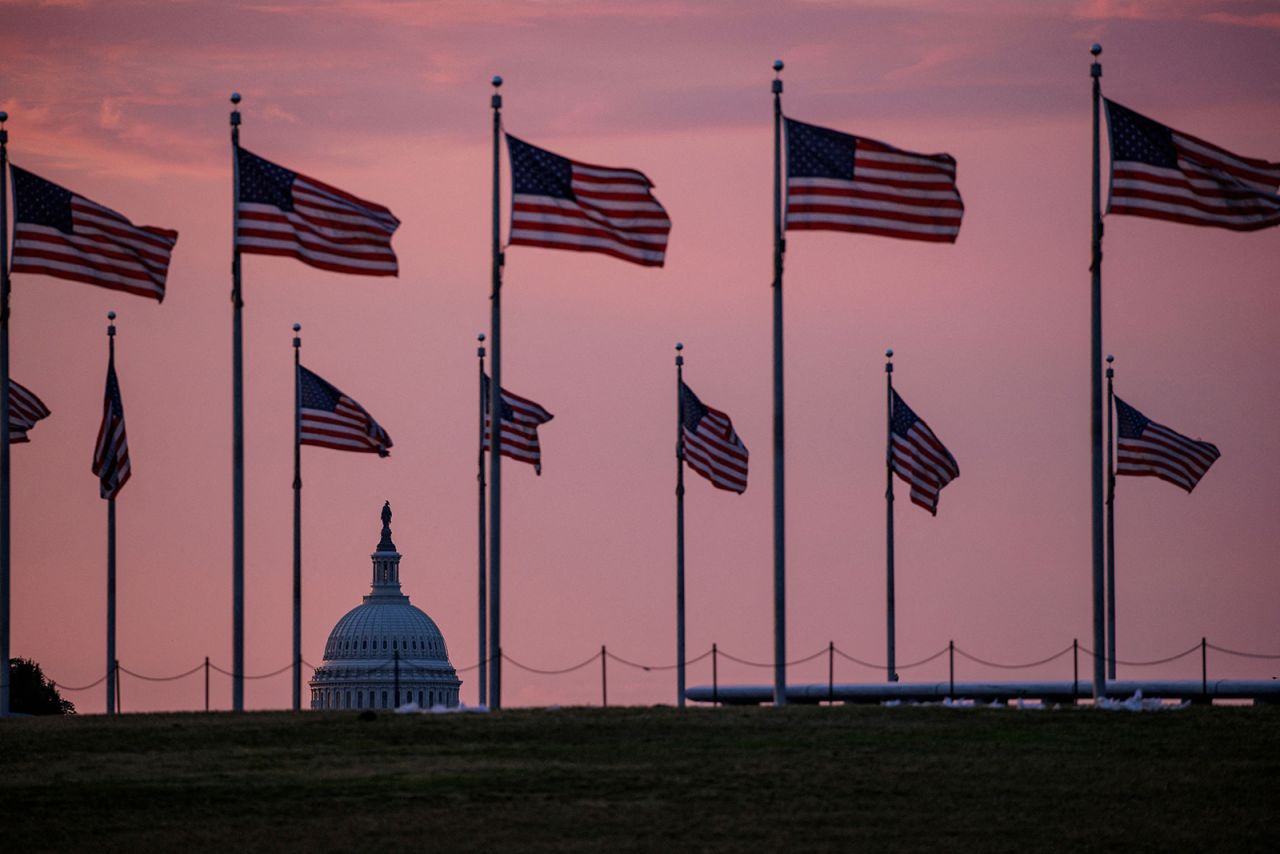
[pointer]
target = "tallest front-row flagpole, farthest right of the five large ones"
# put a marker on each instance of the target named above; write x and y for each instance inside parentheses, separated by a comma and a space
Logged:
(1100, 683)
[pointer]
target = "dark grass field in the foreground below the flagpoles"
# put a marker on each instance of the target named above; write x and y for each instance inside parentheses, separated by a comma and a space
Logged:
(634, 779)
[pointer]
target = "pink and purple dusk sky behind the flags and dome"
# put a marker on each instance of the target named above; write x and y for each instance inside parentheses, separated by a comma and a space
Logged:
(126, 103)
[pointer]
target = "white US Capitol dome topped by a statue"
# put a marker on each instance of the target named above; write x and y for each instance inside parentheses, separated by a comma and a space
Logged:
(385, 654)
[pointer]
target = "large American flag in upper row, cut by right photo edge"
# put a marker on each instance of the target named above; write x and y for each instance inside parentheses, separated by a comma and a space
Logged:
(1165, 175)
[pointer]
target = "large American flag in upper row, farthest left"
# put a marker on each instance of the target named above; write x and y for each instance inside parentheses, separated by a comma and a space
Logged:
(70, 238)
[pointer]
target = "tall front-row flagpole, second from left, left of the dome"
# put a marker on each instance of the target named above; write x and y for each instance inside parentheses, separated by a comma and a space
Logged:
(237, 433)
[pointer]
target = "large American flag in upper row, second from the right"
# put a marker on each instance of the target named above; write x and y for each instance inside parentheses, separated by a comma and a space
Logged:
(847, 184)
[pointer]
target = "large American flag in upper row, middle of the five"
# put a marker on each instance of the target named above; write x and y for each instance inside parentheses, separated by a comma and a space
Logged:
(563, 204)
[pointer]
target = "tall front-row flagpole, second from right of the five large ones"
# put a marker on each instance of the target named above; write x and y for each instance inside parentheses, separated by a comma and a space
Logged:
(780, 496)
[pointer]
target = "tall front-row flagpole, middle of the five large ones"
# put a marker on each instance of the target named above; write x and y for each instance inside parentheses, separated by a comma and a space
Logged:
(496, 432)
